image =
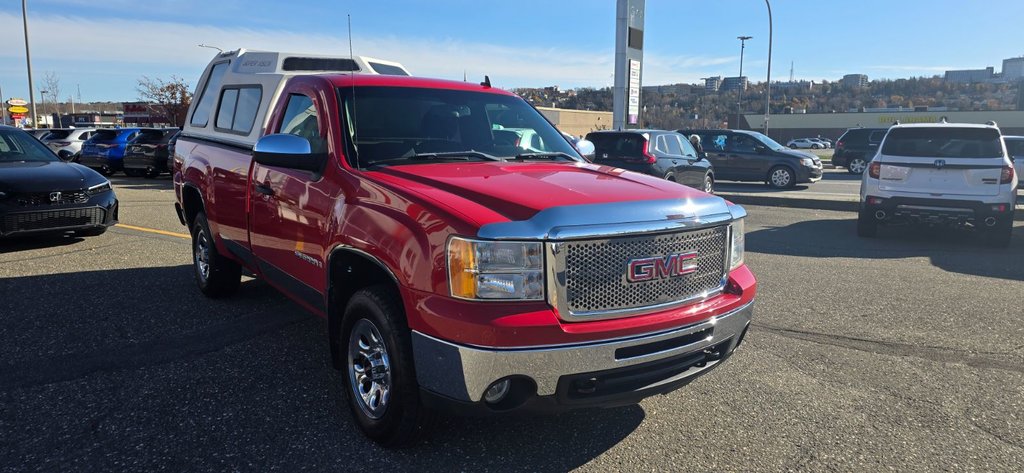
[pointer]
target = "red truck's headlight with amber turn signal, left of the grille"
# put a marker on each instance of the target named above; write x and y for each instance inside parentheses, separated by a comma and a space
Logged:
(480, 270)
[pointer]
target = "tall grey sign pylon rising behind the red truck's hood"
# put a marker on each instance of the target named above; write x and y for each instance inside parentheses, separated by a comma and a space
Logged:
(629, 63)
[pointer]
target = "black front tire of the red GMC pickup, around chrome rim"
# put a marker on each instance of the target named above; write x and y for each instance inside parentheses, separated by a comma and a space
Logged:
(404, 418)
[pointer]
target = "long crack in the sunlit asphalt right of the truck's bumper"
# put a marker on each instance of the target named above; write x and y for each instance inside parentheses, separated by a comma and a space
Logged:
(941, 355)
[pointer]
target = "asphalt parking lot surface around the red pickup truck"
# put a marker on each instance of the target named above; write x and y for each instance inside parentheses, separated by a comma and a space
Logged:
(901, 353)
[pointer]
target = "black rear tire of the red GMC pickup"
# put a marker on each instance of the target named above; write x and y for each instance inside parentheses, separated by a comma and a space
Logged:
(222, 276)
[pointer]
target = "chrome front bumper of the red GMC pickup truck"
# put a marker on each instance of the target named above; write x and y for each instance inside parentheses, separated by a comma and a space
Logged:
(611, 373)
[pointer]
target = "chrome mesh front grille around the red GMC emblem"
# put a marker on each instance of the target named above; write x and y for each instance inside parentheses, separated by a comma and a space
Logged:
(592, 279)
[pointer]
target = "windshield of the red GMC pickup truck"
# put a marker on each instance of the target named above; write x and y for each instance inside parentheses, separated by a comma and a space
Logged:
(396, 124)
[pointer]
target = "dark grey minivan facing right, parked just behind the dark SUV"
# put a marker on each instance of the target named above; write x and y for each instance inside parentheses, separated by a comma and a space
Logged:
(749, 156)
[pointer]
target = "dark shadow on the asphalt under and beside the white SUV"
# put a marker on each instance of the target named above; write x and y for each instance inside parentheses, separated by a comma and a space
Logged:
(955, 250)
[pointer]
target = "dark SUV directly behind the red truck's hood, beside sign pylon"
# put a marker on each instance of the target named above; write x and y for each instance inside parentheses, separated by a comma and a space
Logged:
(663, 154)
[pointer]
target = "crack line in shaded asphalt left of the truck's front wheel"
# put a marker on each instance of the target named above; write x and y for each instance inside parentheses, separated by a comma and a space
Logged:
(147, 354)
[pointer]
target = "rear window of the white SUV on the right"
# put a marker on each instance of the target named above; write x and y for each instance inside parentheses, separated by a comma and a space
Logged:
(944, 143)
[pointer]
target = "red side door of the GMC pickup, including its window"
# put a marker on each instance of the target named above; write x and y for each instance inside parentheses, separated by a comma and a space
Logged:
(290, 208)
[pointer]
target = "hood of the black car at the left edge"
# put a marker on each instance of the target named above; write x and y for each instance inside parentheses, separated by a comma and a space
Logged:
(47, 177)
